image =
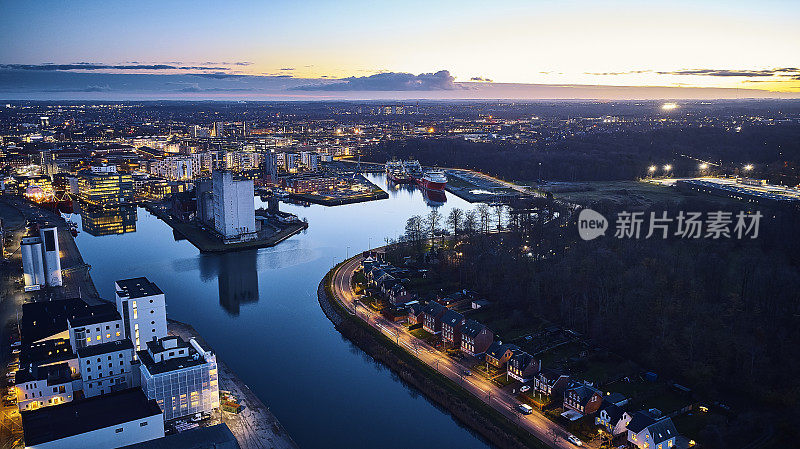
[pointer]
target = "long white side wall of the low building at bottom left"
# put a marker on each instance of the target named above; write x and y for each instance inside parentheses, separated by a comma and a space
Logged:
(119, 435)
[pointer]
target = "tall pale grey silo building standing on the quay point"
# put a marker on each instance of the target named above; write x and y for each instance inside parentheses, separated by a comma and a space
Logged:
(234, 210)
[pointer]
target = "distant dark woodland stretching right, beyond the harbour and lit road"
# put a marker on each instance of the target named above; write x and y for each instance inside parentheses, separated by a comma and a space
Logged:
(621, 155)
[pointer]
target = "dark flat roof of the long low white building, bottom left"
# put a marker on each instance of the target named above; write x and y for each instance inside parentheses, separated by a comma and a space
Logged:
(73, 418)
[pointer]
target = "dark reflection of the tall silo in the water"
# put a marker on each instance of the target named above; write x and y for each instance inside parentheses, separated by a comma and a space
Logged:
(238, 279)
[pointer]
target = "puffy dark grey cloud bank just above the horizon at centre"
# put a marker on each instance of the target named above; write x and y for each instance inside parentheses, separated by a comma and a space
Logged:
(390, 81)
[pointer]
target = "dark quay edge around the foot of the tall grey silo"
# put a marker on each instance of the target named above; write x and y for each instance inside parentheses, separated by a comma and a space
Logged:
(208, 243)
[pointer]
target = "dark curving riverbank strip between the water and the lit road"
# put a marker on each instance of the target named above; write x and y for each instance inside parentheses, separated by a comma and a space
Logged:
(467, 409)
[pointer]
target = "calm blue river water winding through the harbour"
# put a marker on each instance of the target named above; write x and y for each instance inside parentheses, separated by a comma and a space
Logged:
(258, 309)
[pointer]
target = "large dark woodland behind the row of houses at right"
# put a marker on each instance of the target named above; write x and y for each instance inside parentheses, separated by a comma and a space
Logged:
(722, 316)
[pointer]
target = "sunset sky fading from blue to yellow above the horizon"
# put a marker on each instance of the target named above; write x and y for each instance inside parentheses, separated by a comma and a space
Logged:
(411, 49)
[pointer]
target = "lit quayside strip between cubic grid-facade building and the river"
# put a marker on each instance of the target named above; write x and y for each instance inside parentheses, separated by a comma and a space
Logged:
(255, 427)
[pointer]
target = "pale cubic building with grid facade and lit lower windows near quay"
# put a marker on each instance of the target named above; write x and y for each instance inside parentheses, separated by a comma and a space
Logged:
(181, 377)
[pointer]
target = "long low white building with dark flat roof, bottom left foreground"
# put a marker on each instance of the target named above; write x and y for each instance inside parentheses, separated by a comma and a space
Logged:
(116, 420)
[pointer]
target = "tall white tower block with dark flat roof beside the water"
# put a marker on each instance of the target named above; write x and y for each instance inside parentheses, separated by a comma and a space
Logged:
(143, 308)
